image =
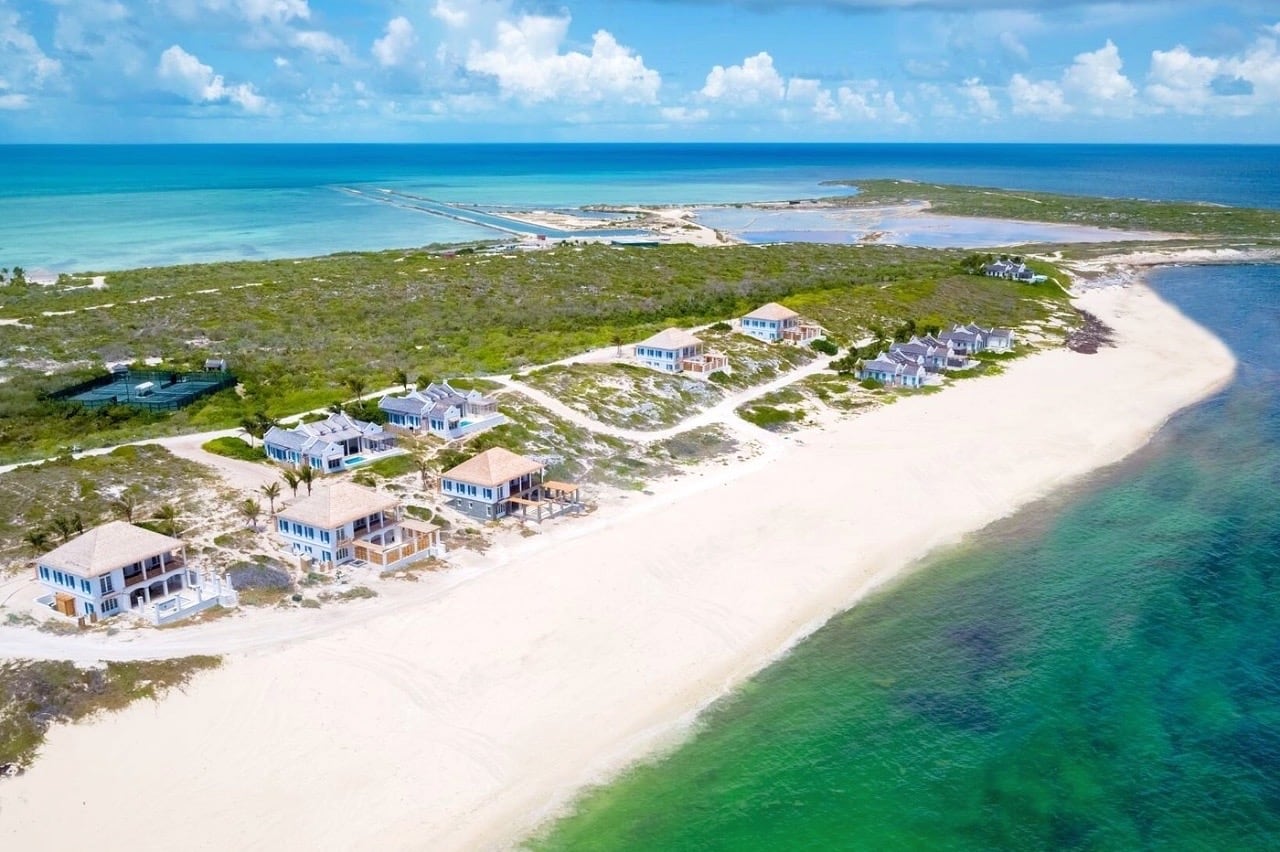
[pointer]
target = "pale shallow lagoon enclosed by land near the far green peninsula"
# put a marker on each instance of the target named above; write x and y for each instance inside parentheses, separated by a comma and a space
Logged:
(900, 226)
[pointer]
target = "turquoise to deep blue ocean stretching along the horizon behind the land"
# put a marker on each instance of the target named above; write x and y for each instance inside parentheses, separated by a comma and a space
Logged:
(102, 208)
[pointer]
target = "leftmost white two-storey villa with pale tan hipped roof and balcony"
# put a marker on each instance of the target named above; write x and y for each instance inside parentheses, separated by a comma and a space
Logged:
(113, 569)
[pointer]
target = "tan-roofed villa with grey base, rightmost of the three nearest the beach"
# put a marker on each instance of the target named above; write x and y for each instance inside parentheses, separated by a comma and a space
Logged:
(499, 483)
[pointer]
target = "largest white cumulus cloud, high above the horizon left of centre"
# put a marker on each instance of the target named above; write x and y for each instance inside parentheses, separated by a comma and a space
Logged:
(528, 65)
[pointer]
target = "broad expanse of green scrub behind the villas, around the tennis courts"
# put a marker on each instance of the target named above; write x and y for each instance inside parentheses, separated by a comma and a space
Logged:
(433, 317)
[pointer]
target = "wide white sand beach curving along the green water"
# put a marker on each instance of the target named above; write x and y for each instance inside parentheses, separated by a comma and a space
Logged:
(465, 722)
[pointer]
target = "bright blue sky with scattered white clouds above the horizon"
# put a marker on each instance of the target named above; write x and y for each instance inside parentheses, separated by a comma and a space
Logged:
(737, 71)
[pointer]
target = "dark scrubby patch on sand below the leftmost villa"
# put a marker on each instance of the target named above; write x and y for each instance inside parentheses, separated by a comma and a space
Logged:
(35, 695)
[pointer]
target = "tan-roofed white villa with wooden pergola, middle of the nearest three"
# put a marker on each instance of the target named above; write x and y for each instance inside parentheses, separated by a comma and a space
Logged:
(344, 523)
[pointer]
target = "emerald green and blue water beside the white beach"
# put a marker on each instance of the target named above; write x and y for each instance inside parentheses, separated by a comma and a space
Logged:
(1100, 672)
